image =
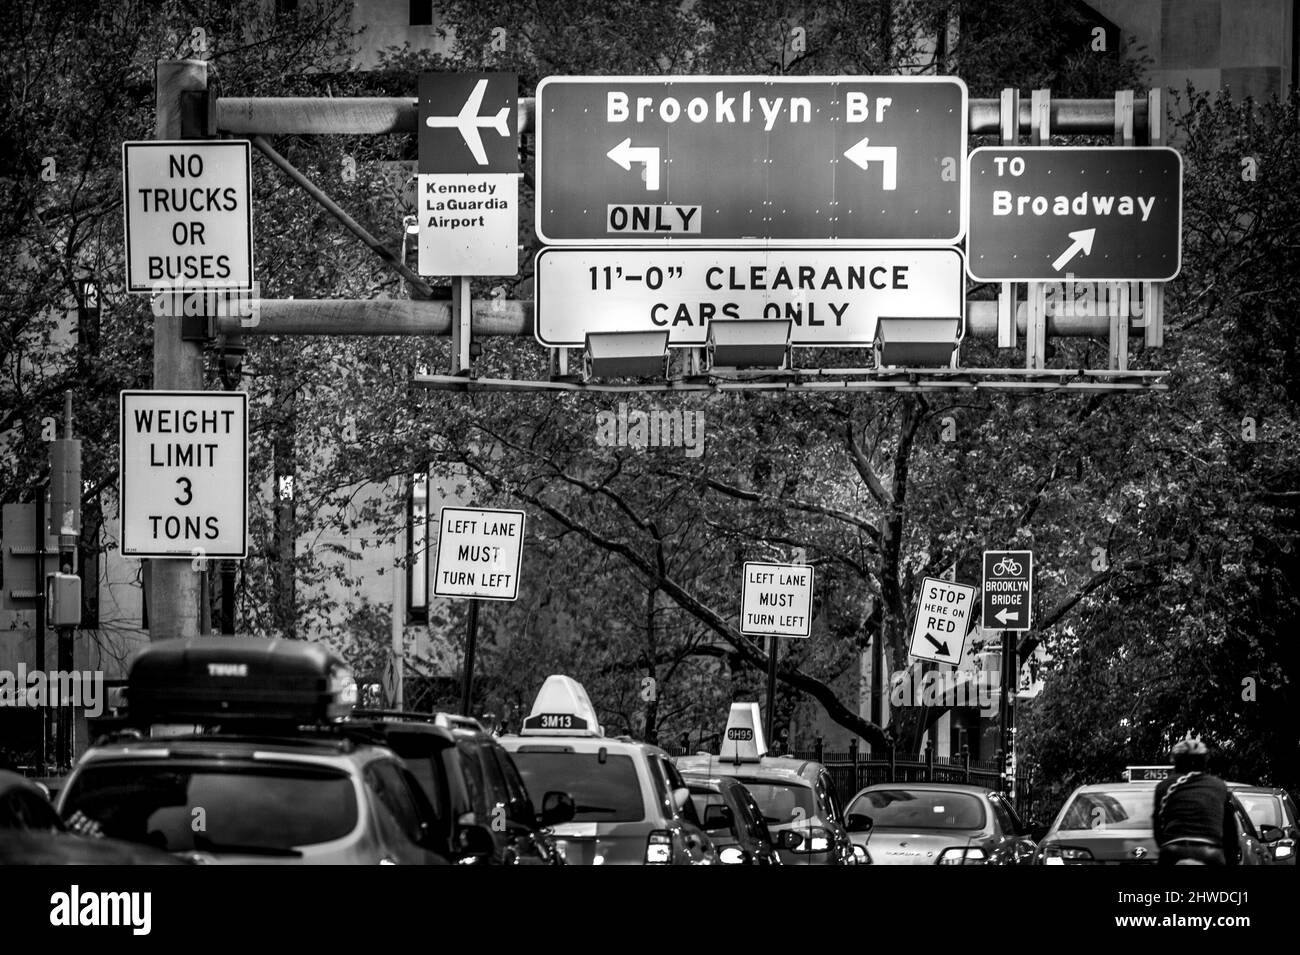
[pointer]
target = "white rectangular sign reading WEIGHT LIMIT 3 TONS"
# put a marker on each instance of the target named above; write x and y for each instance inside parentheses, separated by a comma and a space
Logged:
(184, 474)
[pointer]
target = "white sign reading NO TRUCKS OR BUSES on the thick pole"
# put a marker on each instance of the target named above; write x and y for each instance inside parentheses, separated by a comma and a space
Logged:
(189, 222)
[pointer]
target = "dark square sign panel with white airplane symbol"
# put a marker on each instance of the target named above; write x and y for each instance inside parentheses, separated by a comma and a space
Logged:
(460, 112)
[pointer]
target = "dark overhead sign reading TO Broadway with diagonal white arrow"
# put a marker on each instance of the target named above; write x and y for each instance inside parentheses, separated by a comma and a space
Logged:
(1046, 214)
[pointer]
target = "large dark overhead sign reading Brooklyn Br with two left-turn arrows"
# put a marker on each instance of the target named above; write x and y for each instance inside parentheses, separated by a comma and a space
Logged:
(751, 159)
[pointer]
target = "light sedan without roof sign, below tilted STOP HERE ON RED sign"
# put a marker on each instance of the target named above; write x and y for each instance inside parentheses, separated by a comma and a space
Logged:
(938, 824)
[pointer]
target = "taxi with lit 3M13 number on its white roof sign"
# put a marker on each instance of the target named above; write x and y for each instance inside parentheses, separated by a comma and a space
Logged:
(613, 801)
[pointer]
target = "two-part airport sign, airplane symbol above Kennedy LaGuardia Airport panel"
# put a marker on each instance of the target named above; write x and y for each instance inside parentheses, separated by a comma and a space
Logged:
(469, 175)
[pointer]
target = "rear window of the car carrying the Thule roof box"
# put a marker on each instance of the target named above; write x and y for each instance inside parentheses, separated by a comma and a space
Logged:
(181, 808)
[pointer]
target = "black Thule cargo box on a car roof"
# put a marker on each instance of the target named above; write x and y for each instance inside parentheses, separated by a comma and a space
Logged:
(222, 680)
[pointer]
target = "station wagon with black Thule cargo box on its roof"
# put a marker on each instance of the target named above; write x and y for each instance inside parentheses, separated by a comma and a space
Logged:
(237, 750)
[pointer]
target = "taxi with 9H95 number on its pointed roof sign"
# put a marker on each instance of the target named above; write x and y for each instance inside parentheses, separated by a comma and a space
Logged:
(796, 796)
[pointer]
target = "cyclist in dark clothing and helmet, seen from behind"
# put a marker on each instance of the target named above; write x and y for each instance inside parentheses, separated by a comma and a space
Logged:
(1194, 821)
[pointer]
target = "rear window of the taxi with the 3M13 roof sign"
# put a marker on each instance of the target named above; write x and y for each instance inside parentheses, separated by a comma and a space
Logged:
(604, 791)
